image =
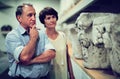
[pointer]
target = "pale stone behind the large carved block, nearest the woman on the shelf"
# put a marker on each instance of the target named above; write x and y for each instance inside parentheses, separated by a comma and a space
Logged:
(71, 32)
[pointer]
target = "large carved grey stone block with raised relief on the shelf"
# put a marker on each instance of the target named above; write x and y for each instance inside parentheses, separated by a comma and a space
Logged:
(91, 38)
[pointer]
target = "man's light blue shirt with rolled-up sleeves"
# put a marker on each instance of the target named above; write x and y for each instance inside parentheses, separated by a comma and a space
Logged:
(15, 42)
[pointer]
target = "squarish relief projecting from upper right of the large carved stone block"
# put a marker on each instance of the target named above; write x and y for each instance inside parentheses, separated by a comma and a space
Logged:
(101, 31)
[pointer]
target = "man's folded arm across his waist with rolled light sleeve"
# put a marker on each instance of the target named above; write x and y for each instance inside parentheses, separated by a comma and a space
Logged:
(46, 56)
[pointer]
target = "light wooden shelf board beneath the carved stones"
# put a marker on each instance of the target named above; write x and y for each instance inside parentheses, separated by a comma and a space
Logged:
(93, 73)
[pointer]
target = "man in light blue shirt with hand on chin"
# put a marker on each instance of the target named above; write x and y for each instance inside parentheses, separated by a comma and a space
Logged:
(29, 51)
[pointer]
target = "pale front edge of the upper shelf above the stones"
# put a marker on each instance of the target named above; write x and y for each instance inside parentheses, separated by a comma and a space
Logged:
(78, 7)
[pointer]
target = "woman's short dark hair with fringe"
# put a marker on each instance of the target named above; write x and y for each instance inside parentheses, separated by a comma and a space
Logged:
(47, 11)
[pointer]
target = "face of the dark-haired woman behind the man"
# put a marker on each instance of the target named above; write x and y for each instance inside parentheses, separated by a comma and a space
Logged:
(50, 21)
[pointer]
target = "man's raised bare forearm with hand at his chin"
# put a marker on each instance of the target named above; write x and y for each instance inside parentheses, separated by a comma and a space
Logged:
(28, 51)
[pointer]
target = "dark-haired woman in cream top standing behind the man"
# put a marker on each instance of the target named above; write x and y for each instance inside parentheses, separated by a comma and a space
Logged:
(61, 64)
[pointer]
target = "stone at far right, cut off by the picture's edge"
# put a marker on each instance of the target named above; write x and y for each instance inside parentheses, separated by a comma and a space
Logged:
(115, 53)
